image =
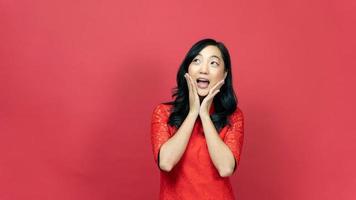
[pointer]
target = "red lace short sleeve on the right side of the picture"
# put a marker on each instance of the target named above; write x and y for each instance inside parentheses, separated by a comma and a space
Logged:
(235, 135)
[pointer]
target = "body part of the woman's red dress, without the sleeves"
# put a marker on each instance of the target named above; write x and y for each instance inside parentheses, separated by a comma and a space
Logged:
(195, 176)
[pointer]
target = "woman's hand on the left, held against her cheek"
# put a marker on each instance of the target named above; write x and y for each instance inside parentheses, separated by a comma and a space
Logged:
(194, 101)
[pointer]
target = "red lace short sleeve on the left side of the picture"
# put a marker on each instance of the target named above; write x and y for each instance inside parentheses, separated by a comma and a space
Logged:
(159, 130)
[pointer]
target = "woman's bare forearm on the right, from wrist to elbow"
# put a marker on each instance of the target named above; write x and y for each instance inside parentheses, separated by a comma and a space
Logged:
(220, 154)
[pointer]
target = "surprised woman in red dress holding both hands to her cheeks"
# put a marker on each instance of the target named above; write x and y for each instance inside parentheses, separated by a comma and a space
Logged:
(198, 137)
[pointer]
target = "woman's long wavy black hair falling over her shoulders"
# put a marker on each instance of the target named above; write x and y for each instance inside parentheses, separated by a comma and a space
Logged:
(225, 101)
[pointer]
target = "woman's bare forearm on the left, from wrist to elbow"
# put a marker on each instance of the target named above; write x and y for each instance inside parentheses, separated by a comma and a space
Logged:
(173, 149)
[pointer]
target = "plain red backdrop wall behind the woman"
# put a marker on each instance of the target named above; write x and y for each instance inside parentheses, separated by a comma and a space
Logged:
(79, 81)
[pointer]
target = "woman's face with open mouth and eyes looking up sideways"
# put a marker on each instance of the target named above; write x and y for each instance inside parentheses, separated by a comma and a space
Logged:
(209, 66)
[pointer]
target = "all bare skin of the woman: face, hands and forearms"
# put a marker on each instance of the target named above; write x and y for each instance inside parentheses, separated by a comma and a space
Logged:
(209, 64)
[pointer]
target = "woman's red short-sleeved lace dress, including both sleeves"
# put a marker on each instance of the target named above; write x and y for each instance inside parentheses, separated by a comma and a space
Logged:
(195, 176)
